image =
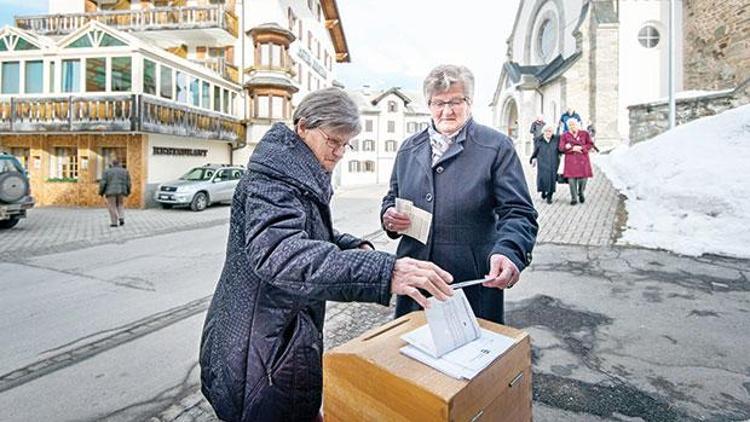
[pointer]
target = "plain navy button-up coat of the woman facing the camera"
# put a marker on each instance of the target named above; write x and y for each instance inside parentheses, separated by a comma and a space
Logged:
(480, 205)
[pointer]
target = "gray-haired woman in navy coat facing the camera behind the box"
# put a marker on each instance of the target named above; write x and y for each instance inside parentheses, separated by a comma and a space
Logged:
(469, 178)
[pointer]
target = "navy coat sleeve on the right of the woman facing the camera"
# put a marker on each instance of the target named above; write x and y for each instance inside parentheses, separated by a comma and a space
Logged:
(516, 224)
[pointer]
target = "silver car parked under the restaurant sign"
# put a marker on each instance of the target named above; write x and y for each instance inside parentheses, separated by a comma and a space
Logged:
(200, 187)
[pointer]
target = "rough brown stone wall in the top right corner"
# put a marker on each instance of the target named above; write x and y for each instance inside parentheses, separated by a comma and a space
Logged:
(716, 43)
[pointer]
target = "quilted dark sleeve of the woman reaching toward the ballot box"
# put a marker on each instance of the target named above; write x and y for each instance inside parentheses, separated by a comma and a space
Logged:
(282, 253)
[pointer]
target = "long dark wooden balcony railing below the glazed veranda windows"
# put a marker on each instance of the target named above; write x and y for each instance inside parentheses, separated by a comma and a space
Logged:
(116, 113)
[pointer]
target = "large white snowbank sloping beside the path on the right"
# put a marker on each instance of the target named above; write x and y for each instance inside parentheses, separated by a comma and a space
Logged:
(688, 189)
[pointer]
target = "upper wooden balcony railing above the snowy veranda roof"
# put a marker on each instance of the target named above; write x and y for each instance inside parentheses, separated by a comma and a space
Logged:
(155, 19)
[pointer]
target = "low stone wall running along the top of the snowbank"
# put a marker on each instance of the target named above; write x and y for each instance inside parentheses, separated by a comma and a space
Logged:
(651, 119)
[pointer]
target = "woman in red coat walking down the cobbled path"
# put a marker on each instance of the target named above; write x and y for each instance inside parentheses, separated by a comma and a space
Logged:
(575, 144)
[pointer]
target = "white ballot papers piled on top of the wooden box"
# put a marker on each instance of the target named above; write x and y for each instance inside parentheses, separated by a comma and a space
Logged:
(452, 341)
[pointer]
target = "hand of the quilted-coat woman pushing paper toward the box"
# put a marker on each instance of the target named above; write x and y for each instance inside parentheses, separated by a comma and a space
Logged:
(410, 274)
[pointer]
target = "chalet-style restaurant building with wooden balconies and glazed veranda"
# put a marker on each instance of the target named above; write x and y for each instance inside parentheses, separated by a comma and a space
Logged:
(160, 85)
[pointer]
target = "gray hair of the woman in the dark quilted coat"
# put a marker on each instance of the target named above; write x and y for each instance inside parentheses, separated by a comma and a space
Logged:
(331, 108)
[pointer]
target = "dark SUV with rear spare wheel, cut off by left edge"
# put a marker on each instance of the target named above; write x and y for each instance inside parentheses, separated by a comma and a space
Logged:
(15, 191)
